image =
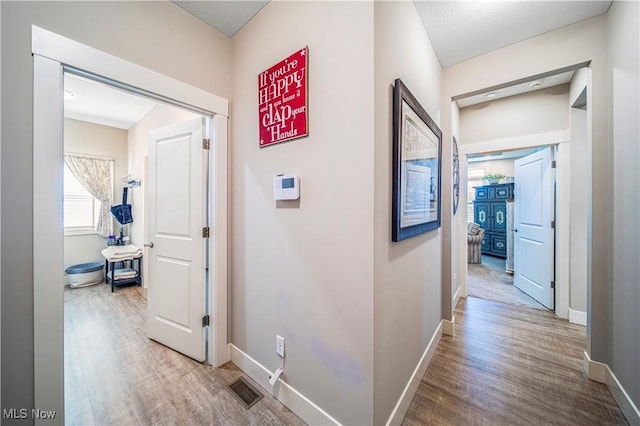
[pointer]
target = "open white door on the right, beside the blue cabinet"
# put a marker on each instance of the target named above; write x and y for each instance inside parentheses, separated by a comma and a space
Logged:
(533, 232)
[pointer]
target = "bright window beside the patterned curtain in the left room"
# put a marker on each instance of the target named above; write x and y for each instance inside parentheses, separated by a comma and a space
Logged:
(80, 208)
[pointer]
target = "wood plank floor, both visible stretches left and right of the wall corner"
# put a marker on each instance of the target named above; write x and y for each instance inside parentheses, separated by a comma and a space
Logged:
(506, 365)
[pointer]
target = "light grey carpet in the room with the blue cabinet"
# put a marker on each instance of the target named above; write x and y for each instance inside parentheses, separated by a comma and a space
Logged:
(489, 280)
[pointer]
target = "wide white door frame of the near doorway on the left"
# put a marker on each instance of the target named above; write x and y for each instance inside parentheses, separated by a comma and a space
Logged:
(51, 52)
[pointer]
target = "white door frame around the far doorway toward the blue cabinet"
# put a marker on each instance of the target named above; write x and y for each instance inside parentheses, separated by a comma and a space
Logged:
(559, 139)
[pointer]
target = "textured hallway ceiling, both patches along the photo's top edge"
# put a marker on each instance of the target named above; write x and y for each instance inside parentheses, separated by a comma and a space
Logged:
(458, 30)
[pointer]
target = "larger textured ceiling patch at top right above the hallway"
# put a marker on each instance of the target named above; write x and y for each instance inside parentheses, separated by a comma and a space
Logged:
(460, 30)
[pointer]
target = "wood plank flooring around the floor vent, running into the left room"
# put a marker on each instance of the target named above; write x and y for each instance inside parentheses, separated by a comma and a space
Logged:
(115, 375)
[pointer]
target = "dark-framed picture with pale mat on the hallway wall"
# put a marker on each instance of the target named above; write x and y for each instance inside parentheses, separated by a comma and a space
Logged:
(417, 173)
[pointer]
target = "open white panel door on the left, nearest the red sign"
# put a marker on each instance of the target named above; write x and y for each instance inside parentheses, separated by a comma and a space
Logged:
(176, 298)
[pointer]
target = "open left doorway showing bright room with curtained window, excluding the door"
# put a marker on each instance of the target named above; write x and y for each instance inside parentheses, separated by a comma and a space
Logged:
(105, 325)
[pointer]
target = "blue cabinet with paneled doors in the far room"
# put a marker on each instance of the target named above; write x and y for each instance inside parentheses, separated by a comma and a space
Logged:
(490, 212)
